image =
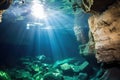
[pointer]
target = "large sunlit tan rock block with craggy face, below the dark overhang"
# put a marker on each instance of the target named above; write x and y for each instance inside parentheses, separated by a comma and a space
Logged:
(105, 28)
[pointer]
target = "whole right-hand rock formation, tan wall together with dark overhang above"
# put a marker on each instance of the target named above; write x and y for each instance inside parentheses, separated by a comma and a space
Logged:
(105, 28)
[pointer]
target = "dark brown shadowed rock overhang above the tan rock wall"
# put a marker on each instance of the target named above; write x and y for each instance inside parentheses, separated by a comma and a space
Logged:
(96, 5)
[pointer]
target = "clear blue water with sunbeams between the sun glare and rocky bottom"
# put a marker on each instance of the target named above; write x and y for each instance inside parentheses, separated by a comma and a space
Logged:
(17, 39)
